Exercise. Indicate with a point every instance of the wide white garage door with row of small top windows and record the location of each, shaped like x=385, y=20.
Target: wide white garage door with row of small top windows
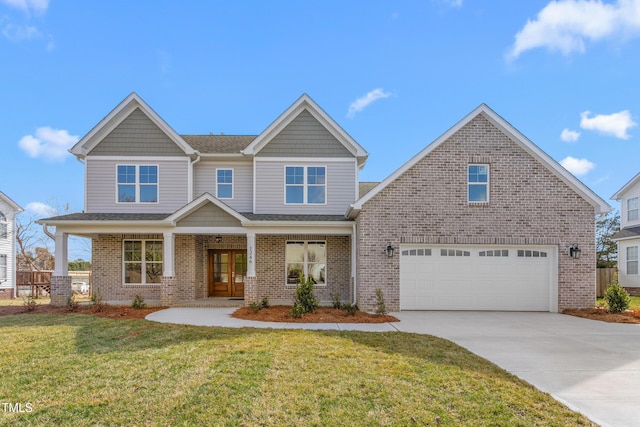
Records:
x=477, y=278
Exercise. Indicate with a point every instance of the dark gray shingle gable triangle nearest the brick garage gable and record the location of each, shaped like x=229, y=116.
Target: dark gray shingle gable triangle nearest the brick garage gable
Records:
x=304, y=137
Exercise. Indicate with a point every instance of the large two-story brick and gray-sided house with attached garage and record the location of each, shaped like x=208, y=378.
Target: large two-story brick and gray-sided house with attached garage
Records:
x=479, y=219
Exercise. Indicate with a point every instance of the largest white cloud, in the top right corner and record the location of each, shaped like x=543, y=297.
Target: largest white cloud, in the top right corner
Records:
x=565, y=25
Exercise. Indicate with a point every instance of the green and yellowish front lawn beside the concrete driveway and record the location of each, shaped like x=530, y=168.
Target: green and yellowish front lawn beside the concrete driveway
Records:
x=81, y=370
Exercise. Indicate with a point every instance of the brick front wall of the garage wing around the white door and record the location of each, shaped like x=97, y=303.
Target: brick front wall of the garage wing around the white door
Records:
x=528, y=205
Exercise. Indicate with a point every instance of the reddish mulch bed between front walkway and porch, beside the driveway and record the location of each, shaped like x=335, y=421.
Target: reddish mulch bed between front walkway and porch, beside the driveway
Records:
x=281, y=313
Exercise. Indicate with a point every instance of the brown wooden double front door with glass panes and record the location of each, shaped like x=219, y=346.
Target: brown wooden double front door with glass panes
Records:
x=227, y=269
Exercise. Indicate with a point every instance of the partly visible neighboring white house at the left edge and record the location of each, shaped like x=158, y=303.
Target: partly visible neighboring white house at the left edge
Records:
x=8, y=211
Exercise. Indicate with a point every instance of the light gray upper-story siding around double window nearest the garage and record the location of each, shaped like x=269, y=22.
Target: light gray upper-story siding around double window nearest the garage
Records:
x=270, y=187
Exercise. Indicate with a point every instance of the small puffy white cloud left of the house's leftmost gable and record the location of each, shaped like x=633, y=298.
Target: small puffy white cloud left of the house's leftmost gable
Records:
x=51, y=144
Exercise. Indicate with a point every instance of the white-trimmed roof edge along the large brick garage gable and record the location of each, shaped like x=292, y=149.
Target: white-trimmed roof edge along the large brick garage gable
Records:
x=599, y=205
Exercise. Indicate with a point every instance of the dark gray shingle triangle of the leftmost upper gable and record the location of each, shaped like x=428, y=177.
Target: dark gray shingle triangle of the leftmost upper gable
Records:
x=137, y=135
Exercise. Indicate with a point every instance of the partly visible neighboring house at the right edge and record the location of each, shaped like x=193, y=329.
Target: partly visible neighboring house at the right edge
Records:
x=628, y=238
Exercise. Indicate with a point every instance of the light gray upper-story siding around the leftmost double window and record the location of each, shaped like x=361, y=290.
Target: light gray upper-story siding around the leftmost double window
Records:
x=101, y=185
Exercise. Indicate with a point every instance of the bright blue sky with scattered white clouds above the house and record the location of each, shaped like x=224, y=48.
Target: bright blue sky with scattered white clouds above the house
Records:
x=394, y=74
